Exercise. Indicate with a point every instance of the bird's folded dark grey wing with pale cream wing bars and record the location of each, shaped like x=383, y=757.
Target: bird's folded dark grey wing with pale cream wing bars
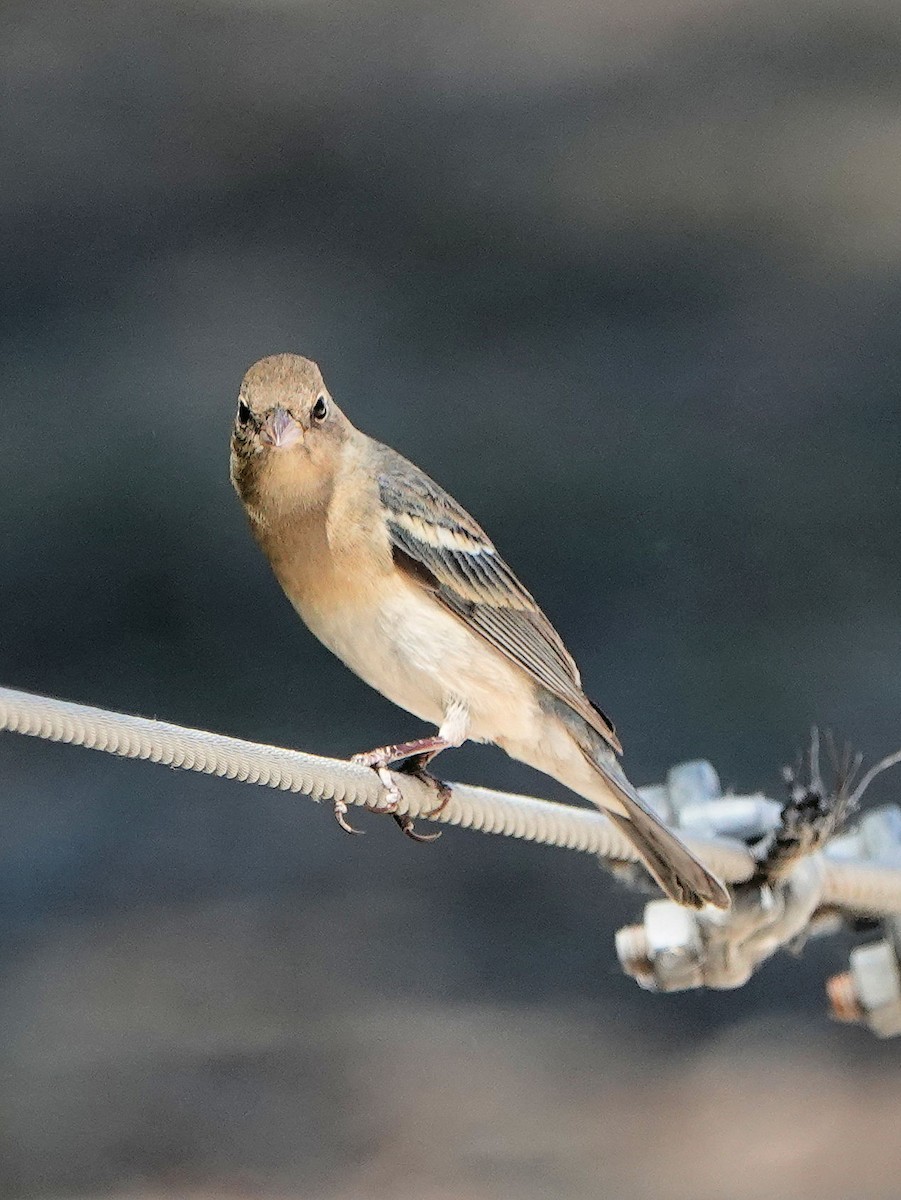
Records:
x=443, y=549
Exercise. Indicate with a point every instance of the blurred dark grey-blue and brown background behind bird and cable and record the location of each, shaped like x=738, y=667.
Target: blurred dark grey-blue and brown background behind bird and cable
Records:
x=624, y=278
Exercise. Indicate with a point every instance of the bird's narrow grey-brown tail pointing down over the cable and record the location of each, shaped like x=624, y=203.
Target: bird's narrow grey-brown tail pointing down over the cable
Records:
x=677, y=871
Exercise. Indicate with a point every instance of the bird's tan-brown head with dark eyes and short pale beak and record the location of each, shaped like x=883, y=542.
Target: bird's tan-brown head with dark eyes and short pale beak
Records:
x=289, y=434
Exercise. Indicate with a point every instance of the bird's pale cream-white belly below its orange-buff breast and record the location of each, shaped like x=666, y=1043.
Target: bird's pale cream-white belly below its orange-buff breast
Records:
x=424, y=659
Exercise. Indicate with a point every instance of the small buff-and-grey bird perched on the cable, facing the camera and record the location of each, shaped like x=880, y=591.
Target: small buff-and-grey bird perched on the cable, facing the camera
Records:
x=398, y=580
